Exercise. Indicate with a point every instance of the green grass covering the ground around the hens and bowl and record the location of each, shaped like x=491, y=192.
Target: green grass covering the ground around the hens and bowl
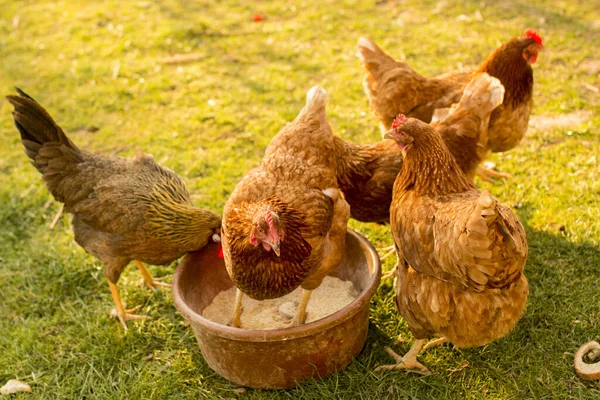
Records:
x=99, y=63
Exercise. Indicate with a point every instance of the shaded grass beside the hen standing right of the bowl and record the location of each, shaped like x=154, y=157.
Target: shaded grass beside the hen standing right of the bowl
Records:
x=562, y=313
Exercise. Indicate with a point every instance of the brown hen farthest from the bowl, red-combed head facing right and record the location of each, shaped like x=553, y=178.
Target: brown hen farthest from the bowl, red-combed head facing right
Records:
x=393, y=88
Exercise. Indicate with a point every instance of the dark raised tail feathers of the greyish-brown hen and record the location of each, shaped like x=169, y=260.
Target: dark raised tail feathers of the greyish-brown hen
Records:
x=35, y=125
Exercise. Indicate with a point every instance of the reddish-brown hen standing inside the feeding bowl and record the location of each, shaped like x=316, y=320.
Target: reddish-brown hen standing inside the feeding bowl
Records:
x=284, y=225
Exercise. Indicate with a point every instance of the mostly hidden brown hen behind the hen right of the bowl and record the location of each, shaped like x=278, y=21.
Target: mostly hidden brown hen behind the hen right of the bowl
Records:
x=366, y=173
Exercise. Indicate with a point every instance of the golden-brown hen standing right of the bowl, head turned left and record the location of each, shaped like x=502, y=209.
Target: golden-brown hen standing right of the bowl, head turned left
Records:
x=461, y=253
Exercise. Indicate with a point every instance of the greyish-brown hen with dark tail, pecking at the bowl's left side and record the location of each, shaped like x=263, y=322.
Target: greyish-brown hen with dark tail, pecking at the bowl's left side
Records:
x=123, y=209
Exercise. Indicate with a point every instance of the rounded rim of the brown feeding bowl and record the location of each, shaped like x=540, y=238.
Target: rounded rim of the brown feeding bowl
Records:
x=272, y=335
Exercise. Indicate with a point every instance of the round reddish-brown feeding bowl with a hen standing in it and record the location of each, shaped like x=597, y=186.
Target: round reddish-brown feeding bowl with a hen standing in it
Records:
x=278, y=358
